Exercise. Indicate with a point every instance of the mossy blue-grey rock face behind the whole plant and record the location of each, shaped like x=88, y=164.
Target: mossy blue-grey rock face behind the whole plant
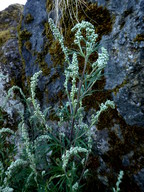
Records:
x=119, y=133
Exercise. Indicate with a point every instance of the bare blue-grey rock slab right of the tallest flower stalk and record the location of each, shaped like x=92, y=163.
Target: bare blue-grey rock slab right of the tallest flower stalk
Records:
x=125, y=68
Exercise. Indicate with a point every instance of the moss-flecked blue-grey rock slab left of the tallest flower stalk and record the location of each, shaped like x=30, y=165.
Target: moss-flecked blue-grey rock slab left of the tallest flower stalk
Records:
x=36, y=56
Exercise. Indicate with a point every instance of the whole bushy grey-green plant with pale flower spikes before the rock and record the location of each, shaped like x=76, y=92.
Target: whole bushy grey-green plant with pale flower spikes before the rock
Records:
x=52, y=160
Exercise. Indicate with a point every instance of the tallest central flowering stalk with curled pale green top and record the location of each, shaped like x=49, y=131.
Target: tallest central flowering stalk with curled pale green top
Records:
x=81, y=85
